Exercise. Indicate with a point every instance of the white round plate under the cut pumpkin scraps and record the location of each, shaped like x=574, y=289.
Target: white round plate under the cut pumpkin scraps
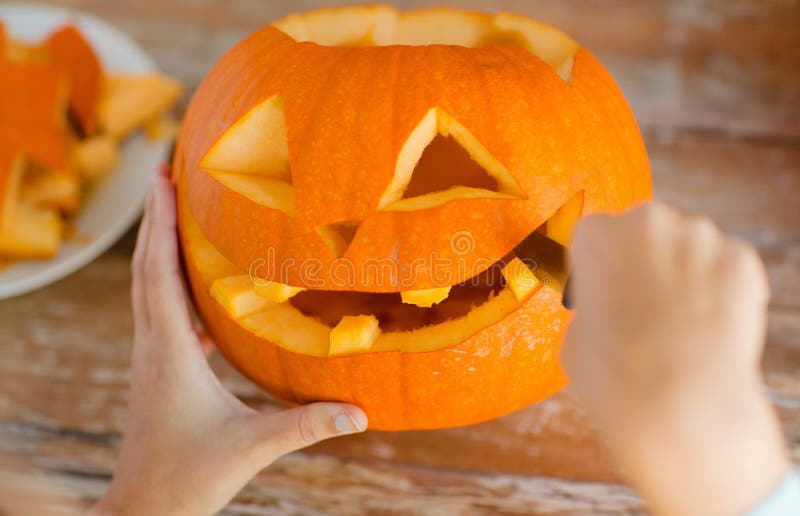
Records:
x=115, y=203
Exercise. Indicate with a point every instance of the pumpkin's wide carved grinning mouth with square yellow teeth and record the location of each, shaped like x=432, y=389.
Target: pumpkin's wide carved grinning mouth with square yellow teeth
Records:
x=333, y=323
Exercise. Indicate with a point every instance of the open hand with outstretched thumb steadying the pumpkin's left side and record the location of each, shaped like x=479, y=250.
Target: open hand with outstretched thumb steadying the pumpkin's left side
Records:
x=190, y=445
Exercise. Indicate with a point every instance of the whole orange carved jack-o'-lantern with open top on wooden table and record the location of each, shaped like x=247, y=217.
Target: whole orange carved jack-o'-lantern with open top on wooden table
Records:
x=352, y=183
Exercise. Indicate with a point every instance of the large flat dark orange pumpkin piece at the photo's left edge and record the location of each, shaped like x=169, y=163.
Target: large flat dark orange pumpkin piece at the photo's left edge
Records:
x=33, y=112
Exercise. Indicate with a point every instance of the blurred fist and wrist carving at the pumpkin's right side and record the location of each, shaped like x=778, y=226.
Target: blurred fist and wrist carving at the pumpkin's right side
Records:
x=663, y=353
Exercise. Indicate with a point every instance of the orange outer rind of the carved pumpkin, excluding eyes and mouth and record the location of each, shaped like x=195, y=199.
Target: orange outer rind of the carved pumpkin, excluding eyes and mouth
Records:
x=349, y=112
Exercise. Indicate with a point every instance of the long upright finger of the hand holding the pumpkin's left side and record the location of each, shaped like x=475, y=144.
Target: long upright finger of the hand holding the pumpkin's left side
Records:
x=166, y=299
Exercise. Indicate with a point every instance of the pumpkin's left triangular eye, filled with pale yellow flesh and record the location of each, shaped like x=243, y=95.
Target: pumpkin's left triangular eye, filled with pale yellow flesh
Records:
x=252, y=157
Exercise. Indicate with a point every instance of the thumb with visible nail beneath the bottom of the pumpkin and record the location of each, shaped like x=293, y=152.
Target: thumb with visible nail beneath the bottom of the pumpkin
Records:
x=293, y=429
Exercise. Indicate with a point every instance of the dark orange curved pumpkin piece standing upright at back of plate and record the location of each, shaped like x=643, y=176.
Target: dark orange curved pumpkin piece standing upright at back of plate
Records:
x=73, y=54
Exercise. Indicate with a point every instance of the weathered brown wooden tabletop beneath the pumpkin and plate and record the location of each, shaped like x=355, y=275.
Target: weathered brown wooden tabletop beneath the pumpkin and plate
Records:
x=716, y=88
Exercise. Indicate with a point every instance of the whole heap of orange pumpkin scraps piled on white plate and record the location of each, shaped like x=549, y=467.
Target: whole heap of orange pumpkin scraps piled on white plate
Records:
x=62, y=120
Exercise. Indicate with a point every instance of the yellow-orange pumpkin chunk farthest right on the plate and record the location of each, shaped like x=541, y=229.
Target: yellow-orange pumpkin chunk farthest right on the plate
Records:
x=127, y=102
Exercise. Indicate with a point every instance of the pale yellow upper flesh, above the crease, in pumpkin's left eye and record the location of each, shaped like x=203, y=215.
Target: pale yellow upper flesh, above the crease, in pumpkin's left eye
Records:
x=255, y=144
